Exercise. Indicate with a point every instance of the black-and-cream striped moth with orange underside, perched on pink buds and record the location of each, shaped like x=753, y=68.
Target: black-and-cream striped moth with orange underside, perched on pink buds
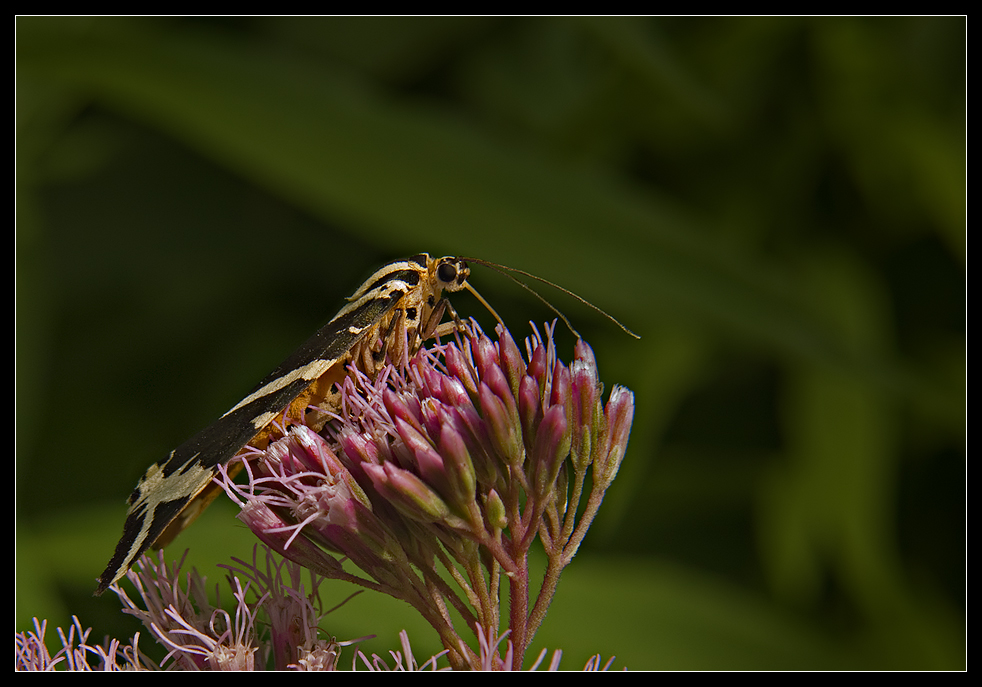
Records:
x=394, y=309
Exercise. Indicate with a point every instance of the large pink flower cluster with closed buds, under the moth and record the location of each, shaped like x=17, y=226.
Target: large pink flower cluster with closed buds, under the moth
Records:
x=455, y=464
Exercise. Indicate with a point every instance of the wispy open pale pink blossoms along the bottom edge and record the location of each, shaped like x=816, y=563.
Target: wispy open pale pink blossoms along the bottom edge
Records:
x=276, y=629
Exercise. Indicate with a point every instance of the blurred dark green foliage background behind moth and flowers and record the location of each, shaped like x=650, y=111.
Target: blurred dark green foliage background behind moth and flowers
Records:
x=776, y=205
